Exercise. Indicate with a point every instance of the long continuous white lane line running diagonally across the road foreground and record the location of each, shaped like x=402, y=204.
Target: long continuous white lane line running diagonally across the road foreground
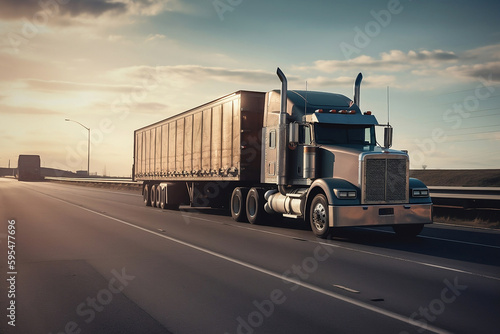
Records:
x=311, y=287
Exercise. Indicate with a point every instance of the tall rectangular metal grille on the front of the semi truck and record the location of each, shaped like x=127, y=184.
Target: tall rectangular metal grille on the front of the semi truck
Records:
x=385, y=180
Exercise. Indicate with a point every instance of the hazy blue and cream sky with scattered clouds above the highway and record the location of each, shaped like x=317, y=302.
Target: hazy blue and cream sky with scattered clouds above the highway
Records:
x=118, y=65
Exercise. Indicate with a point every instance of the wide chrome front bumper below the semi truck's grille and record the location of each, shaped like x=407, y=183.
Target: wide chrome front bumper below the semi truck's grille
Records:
x=366, y=215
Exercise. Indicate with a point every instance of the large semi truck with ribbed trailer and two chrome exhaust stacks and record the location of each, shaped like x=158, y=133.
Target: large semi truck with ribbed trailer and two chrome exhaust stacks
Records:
x=300, y=154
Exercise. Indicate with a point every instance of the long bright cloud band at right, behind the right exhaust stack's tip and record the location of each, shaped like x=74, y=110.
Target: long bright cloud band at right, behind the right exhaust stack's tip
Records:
x=474, y=64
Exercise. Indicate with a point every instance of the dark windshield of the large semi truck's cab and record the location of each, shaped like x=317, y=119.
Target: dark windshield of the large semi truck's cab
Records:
x=337, y=134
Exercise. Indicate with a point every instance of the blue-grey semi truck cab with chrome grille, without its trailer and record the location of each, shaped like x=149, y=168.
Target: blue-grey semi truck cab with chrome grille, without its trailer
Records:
x=333, y=172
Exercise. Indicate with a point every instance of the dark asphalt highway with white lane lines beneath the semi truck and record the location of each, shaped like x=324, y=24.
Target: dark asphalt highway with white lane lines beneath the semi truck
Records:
x=90, y=260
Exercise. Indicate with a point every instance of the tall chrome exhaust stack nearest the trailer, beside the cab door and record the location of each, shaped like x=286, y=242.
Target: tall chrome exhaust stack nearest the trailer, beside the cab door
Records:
x=282, y=146
